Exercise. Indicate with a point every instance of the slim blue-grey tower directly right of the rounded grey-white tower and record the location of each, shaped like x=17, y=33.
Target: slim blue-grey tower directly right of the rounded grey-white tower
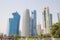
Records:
x=33, y=23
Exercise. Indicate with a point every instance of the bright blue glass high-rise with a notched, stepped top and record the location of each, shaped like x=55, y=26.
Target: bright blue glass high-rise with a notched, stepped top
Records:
x=14, y=24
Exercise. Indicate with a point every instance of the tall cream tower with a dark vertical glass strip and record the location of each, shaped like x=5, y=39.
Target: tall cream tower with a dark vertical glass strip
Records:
x=46, y=20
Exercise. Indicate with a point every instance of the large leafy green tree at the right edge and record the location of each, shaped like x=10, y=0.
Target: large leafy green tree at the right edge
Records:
x=55, y=30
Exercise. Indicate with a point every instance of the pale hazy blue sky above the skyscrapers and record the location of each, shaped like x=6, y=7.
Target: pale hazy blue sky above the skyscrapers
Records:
x=7, y=7
